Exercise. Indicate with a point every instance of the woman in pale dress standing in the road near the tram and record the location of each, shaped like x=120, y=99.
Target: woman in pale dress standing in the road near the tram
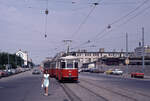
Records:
x=45, y=82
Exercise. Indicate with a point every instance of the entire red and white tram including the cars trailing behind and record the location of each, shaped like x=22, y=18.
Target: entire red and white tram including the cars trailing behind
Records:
x=63, y=68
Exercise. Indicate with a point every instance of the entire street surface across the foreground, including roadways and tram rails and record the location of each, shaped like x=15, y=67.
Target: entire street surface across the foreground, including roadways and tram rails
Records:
x=91, y=87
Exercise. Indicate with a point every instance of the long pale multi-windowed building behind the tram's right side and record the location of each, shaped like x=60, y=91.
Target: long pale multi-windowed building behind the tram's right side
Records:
x=89, y=57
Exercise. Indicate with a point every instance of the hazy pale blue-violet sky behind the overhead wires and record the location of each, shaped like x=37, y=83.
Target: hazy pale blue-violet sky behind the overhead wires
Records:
x=23, y=24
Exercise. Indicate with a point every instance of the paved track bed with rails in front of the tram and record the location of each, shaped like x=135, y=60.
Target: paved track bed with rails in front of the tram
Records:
x=103, y=93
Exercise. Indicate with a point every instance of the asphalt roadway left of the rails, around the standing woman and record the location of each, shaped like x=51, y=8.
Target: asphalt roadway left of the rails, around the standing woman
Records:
x=27, y=87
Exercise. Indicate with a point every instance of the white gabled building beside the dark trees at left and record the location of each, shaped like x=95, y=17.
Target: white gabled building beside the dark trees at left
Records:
x=24, y=56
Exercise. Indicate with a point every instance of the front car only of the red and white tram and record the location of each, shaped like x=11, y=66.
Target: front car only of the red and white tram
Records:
x=67, y=68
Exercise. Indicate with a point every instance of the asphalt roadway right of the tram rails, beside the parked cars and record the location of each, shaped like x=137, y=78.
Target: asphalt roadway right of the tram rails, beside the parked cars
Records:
x=120, y=81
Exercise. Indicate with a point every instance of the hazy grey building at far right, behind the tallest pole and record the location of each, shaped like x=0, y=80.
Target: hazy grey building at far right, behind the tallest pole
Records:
x=138, y=51
